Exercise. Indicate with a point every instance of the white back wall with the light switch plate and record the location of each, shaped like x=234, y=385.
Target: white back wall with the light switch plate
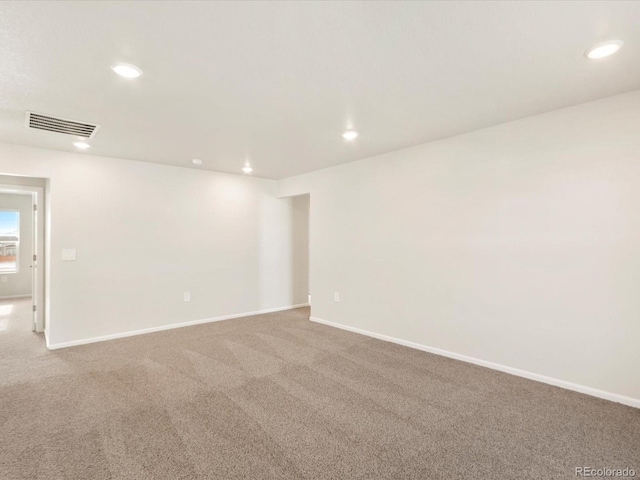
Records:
x=145, y=234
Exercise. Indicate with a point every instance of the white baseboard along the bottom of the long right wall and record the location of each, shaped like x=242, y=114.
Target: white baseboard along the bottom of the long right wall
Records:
x=614, y=397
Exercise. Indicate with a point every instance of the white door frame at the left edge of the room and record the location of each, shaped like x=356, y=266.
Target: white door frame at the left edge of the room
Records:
x=38, y=294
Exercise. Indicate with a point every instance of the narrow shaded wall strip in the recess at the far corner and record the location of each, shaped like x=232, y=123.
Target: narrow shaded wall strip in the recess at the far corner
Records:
x=300, y=250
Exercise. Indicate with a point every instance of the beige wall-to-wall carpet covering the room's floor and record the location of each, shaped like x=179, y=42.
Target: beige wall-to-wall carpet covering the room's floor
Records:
x=276, y=396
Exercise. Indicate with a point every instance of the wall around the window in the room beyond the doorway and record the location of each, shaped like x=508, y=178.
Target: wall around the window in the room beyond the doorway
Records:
x=19, y=284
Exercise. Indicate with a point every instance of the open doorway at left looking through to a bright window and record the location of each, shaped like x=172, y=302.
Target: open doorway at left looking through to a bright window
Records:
x=22, y=251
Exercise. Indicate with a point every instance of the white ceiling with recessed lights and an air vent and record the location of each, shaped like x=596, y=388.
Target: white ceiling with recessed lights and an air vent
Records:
x=278, y=82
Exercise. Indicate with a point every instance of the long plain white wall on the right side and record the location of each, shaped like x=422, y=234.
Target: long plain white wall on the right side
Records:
x=517, y=244
